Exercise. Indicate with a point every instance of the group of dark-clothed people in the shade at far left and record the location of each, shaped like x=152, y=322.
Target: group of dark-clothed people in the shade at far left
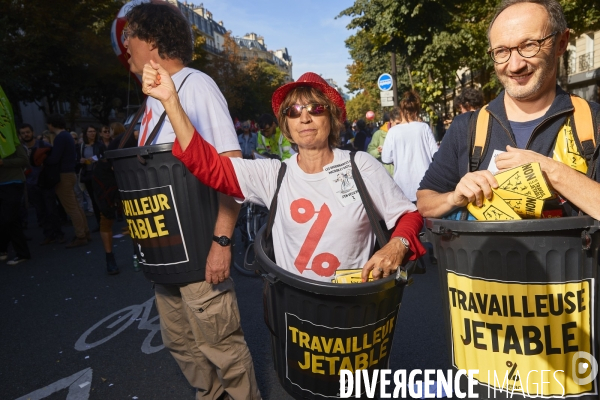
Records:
x=55, y=173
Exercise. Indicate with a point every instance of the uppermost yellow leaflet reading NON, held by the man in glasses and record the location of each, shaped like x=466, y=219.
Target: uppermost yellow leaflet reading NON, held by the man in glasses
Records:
x=526, y=180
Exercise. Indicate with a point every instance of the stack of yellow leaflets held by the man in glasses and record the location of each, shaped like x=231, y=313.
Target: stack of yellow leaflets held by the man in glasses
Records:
x=520, y=194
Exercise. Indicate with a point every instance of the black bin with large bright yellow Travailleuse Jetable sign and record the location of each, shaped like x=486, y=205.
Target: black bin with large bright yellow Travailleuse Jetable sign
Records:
x=521, y=303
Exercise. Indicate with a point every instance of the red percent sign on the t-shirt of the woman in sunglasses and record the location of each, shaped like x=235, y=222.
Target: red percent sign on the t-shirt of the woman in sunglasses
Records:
x=302, y=211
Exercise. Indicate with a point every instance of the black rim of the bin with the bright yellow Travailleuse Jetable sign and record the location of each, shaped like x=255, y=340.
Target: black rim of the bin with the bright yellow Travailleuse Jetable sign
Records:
x=437, y=225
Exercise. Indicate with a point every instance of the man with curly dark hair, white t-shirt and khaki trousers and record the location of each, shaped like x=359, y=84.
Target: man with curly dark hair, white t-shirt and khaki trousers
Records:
x=200, y=322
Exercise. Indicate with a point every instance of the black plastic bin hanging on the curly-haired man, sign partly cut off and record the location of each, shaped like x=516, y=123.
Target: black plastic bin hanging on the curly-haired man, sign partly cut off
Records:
x=170, y=214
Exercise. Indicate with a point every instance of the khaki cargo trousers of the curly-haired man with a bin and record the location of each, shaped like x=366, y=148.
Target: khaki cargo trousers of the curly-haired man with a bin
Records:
x=200, y=325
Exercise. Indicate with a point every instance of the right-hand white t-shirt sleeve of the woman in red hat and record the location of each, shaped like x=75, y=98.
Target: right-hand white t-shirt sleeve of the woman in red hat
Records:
x=388, y=199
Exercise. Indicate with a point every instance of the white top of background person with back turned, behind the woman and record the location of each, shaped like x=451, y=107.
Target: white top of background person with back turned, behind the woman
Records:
x=410, y=147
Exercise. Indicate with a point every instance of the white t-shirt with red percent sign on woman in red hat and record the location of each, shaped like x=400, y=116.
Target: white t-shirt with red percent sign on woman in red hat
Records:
x=321, y=224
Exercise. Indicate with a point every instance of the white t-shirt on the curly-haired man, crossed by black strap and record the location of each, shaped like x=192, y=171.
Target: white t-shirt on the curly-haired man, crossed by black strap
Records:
x=204, y=105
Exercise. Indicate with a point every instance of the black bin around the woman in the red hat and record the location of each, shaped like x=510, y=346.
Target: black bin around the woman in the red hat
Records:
x=319, y=328
